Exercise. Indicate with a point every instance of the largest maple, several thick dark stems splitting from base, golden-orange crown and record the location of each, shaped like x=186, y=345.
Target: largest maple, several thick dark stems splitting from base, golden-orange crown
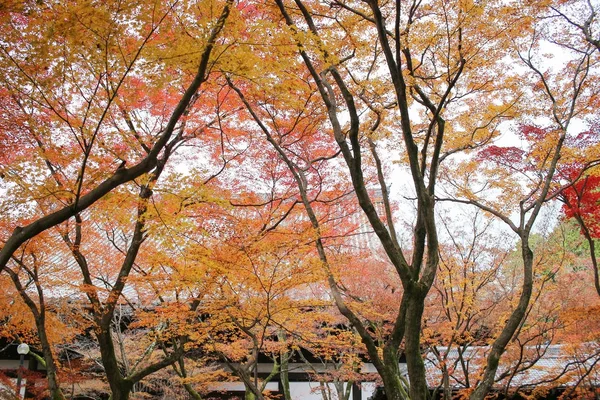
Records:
x=357, y=98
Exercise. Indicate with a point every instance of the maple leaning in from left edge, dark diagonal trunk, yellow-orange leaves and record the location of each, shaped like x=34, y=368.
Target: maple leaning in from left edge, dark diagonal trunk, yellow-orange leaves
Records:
x=33, y=69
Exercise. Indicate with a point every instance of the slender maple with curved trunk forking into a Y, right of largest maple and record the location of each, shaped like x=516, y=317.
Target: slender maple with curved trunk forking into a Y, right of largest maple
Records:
x=528, y=173
